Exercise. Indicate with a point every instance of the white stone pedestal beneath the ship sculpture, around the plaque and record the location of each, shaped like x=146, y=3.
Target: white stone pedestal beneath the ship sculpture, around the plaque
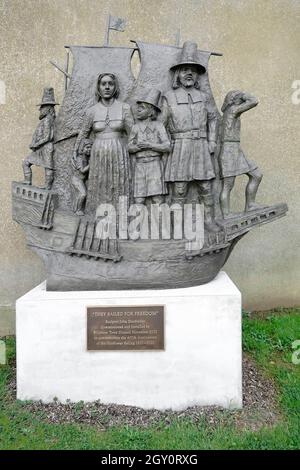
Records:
x=201, y=363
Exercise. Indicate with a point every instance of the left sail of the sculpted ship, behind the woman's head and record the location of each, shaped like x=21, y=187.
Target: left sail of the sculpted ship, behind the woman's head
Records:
x=89, y=62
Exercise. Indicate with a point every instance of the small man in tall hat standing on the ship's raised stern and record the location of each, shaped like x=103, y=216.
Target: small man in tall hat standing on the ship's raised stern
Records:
x=42, y=141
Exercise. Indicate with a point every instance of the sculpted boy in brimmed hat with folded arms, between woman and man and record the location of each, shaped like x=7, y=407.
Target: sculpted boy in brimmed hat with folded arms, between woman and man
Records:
x=148, y=141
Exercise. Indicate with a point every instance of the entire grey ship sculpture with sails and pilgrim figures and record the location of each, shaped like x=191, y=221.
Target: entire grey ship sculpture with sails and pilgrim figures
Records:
x=110, y=216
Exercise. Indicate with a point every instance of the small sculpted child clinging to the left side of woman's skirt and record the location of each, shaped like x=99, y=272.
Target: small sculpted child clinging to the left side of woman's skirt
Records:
x=81, y=167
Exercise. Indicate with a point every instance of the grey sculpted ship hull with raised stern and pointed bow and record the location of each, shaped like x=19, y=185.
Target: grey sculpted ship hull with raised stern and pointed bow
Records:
x=77, y=258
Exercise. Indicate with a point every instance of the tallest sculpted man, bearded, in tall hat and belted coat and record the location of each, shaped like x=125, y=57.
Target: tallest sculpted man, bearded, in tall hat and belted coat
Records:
x=192, y=127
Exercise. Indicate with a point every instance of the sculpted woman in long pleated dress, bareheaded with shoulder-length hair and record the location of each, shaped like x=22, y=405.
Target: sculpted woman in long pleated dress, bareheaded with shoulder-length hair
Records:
x=110, y=120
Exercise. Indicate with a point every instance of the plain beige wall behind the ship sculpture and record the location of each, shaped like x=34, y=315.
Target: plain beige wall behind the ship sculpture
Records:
x=260, y=40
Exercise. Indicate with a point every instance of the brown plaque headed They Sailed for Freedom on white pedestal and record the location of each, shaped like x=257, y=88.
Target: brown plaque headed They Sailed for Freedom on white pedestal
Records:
x=136, y=328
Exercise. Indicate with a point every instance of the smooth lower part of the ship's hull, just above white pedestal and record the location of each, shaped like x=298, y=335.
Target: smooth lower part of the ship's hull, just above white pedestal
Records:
x=73, y=273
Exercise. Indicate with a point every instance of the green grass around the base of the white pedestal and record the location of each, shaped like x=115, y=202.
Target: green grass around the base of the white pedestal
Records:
x=268, y=339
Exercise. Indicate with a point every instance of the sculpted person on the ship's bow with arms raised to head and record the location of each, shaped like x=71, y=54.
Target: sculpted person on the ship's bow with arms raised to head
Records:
x=232, y=159
